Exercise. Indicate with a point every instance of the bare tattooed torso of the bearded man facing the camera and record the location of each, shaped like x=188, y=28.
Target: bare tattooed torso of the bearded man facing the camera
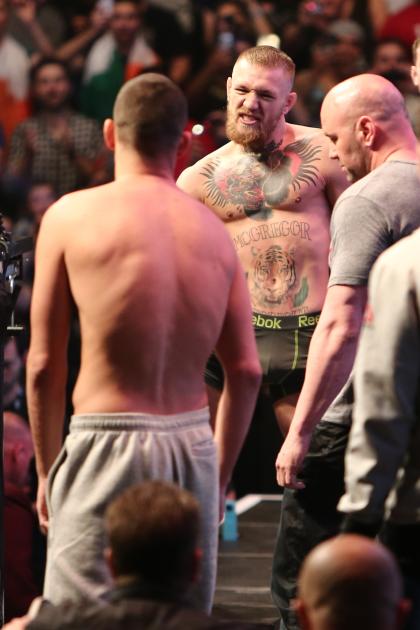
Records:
x=277, y=211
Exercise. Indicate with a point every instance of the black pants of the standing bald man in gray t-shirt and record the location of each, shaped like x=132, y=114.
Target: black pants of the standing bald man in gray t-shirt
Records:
x=309, y=516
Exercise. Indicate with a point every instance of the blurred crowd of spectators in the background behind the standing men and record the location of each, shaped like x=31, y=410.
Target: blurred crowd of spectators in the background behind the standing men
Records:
x=62, y=63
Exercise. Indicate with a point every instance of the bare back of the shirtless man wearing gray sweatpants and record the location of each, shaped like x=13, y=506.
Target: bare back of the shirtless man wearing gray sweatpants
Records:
x=148, y=265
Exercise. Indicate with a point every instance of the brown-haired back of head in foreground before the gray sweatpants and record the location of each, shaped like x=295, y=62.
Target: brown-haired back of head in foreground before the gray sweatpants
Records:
x=153, y=531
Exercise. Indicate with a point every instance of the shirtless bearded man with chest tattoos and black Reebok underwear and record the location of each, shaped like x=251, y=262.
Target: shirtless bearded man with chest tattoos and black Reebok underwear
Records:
x=273, y=186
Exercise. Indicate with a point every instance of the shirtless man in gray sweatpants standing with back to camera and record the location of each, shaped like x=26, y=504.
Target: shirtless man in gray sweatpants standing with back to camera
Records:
x=157, y=285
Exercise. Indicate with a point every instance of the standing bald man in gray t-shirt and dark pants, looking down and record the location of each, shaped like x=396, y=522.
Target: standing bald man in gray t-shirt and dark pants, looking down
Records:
x=370, y=135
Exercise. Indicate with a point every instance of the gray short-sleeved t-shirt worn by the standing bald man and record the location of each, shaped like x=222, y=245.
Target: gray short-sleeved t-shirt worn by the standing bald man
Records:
x=369, y=217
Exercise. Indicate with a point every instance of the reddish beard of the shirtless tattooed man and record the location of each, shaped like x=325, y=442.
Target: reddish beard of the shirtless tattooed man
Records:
x=254, y=138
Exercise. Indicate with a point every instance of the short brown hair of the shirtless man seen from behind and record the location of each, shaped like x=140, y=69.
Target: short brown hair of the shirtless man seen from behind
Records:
x=150, y=114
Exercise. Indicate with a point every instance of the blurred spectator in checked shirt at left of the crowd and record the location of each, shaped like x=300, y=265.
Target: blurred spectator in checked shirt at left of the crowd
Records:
x=56, y=144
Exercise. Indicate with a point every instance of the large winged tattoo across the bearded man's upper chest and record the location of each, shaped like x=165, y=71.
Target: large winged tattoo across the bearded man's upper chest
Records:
x=253, y=185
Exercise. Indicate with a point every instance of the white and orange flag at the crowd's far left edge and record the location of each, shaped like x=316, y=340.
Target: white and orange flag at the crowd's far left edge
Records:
x=14, y=77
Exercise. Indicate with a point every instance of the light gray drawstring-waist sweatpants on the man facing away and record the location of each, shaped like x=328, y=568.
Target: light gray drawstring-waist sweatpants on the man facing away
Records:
x=104, y=454
